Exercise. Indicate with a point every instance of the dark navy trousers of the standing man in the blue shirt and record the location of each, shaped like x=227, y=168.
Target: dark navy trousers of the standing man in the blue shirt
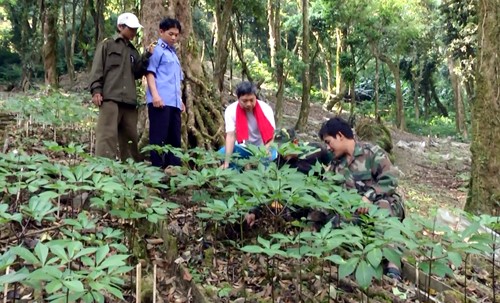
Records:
x=164, y=129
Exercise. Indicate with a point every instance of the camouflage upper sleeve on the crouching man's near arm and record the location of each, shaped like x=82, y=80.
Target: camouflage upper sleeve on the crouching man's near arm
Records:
x=385, y=175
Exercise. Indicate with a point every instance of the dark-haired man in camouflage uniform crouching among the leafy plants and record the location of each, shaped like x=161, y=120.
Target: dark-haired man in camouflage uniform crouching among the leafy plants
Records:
x=366, y=168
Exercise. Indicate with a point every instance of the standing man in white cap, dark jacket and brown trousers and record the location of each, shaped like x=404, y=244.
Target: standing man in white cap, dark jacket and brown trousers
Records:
x=116, y=67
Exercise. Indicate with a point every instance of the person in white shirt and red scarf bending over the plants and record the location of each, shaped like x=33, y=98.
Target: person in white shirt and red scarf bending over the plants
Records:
x=248, y=121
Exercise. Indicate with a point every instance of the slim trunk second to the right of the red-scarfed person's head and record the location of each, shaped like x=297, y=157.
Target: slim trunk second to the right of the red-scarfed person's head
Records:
x=306, y=74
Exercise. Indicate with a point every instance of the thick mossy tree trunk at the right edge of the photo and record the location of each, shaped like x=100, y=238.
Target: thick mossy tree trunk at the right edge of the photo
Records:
x=484, y=189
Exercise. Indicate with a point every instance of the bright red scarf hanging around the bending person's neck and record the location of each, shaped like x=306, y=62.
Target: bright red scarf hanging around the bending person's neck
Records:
x=265, y=127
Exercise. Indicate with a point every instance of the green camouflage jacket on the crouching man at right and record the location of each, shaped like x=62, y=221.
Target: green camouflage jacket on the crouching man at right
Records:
x=370, y=171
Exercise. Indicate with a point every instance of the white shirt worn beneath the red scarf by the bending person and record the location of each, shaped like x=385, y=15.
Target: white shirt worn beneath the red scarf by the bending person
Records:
x=254, y=136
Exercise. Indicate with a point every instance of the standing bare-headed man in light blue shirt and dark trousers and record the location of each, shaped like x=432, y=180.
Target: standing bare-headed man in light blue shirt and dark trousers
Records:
x=164, y=94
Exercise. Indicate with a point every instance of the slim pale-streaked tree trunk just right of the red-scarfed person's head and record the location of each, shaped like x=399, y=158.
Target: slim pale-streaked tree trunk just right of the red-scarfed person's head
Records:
x=274, y=11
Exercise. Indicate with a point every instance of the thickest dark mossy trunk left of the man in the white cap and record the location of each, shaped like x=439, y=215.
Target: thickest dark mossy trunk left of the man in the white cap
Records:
x=50, y=43
